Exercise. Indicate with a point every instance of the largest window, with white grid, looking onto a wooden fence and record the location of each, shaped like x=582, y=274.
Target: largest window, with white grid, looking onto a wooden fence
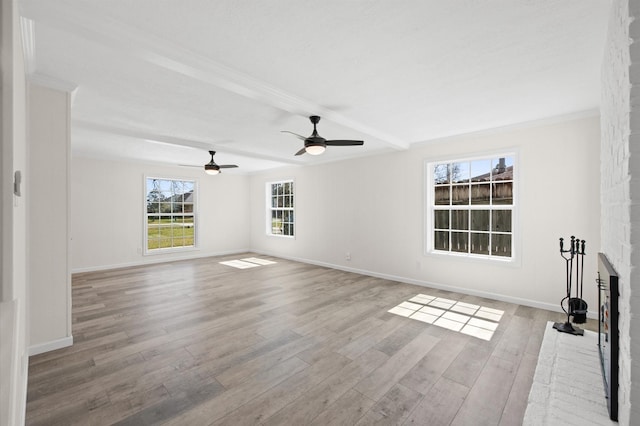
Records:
x=471, y=207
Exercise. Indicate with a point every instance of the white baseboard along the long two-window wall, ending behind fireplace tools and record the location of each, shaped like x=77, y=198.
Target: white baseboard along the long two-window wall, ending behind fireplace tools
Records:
x=439, y=286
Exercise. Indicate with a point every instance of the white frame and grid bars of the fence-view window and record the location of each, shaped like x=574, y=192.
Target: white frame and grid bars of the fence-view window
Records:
x=430, y=207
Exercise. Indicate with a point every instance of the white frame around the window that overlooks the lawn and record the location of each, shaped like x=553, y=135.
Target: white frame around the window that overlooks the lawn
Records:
x=145, y=227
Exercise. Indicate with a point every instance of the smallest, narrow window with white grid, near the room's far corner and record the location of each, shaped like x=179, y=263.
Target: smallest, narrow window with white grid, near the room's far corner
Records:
x=280, y=212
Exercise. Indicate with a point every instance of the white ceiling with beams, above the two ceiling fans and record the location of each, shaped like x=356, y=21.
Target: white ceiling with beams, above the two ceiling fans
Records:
x=163, y=81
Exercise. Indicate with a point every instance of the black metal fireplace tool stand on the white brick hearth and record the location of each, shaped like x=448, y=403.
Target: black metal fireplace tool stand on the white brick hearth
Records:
x=576, y=306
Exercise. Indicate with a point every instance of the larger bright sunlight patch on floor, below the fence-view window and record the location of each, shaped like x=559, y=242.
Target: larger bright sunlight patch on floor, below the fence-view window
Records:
x=474, y=320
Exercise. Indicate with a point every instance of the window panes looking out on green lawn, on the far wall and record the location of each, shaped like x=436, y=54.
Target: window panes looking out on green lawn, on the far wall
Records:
x=170, y=218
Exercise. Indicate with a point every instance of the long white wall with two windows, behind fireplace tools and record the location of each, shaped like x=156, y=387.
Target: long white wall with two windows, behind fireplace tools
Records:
x=373, y=209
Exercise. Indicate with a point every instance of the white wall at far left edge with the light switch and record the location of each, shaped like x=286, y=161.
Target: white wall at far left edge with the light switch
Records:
x=13, y=296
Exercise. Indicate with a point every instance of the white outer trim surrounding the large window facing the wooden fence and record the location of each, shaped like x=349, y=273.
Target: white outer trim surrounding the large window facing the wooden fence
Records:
x=429, y=251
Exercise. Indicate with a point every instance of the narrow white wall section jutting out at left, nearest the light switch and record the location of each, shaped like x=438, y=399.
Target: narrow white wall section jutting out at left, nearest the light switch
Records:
x=49, y=275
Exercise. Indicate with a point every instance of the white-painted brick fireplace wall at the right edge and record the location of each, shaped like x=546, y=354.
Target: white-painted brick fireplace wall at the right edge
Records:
x=620, y=188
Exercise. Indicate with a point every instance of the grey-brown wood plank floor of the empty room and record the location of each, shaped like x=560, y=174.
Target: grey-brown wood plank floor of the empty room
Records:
x=199, y=343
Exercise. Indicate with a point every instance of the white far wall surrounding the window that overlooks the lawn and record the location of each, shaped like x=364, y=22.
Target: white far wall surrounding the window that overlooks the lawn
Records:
x=108, y=204
